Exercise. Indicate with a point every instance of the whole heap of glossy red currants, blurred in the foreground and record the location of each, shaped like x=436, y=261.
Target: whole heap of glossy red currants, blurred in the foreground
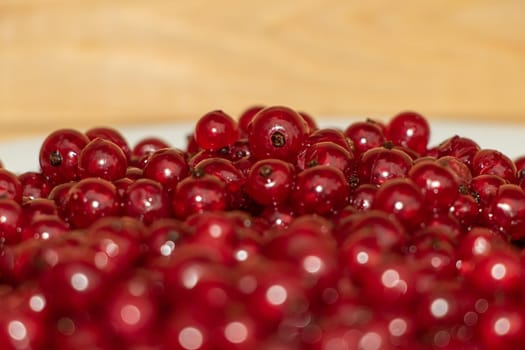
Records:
x=265, y=233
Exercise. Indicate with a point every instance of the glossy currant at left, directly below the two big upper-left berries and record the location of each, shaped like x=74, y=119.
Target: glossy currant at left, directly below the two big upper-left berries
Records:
x=90, y=199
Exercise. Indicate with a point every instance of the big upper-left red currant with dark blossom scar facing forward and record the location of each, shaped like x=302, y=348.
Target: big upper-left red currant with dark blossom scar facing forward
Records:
x=59, y=155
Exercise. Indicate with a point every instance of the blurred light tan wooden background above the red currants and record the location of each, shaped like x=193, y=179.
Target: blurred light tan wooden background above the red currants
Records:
x=84, y=63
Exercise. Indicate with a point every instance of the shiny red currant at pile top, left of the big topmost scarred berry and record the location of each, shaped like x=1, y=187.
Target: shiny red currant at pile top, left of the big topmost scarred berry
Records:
x=216, y=130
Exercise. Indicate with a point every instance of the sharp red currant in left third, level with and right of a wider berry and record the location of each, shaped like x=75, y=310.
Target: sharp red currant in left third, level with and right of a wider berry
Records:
x=146, y=200
